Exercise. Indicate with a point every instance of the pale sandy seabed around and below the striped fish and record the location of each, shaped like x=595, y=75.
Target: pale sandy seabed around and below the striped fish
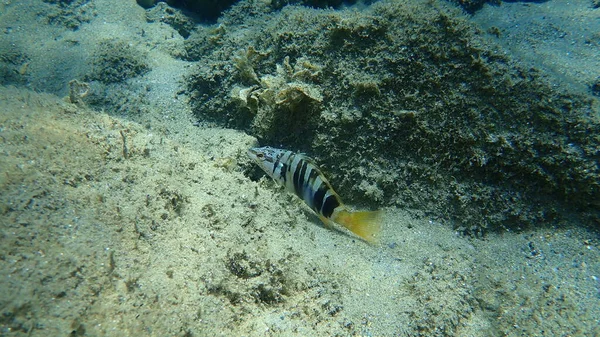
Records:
x=147, y=226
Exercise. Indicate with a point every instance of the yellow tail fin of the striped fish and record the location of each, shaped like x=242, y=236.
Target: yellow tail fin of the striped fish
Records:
x=365, y=224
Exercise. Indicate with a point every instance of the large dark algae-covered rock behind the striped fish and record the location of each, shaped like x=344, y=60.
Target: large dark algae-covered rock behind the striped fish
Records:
x=404, y=104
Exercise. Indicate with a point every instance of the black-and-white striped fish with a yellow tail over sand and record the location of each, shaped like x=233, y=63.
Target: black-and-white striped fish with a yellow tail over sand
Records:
x=300, y=175
